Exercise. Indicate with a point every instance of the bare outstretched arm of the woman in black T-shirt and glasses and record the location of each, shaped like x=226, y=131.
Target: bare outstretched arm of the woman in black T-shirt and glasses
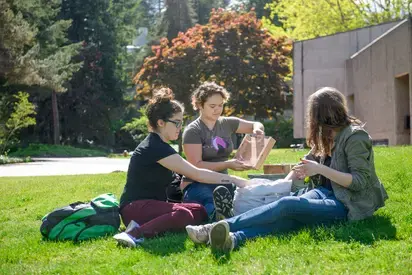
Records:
x=179, y=165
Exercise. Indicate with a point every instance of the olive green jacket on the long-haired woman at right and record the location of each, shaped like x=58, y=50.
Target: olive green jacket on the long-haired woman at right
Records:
x=352, y=153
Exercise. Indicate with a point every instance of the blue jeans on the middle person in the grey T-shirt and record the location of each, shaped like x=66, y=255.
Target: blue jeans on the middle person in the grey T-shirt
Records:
x=202, y=193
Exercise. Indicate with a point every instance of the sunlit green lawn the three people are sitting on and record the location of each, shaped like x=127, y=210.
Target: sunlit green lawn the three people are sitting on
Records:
x=379, y=245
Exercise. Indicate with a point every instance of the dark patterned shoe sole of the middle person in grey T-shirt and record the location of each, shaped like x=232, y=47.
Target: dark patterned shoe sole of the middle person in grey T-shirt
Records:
x=223, y=201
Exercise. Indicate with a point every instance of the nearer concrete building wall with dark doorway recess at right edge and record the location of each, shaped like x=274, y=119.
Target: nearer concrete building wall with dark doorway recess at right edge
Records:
x=378, y=76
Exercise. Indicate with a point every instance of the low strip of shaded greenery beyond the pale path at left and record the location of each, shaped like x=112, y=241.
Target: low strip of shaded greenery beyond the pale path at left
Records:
x=46, y=150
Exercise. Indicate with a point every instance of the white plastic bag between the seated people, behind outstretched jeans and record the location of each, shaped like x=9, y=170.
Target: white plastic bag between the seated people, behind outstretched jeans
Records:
x=260, y=192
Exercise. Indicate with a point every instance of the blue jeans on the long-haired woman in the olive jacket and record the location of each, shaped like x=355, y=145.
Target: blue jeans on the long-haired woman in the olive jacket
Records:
x=318, y=206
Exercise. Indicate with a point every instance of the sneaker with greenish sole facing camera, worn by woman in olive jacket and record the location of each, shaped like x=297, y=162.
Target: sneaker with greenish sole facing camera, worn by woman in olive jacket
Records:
x=221, y=239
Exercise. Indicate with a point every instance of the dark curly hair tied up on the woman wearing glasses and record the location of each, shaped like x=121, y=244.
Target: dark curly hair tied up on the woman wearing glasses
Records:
x=162, y=106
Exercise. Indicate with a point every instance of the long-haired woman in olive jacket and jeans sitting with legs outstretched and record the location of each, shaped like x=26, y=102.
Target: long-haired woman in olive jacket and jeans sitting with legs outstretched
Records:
x=349, y=189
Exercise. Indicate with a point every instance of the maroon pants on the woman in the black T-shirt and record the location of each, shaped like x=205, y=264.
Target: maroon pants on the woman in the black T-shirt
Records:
x=156, y=217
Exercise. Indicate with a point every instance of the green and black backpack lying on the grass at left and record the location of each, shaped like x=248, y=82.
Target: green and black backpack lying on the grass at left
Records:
x=81, y=221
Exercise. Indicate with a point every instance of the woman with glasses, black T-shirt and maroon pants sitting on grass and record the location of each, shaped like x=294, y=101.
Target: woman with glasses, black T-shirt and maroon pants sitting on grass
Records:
x=143, y=204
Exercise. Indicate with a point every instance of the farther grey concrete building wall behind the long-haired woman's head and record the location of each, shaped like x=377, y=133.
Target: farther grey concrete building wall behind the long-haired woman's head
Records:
x=321, y=62
